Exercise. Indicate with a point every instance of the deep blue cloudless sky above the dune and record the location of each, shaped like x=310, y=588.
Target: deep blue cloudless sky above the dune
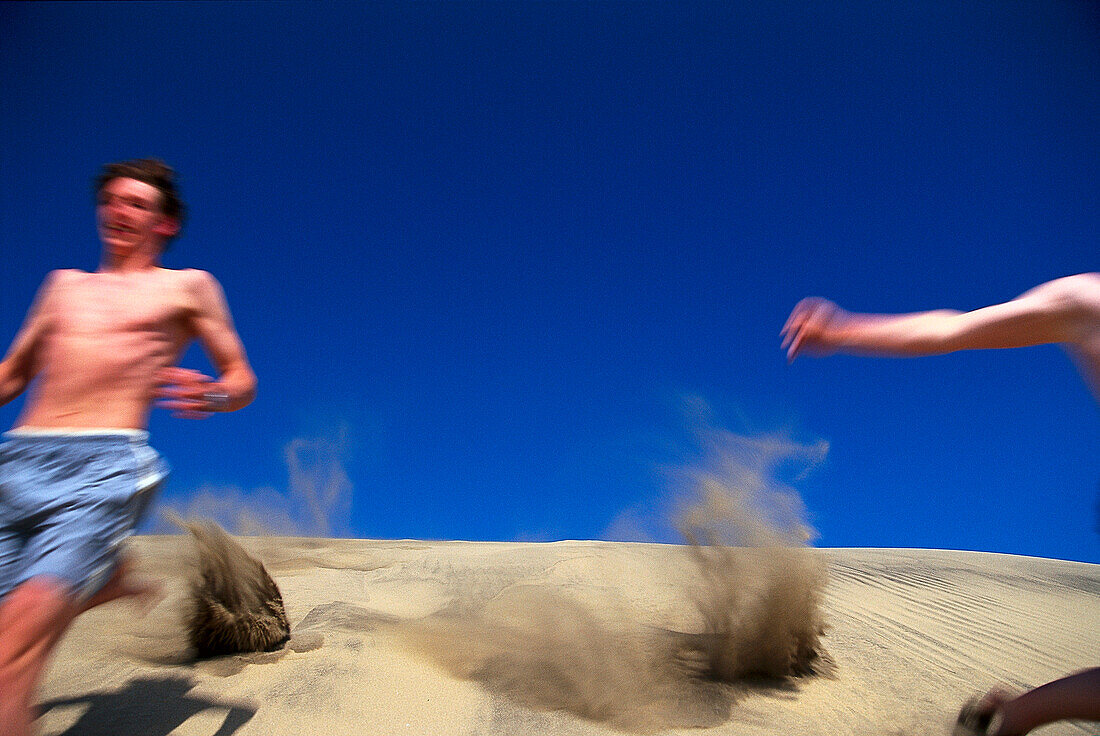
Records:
x=494, y=250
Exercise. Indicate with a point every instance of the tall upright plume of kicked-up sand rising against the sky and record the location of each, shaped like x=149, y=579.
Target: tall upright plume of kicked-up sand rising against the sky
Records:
x=762, y=586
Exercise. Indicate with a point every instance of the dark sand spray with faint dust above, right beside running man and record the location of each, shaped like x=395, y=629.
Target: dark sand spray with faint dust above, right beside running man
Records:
x=233, y=606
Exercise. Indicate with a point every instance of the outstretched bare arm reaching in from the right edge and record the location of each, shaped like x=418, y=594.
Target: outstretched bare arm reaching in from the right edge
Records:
x=1064, y=311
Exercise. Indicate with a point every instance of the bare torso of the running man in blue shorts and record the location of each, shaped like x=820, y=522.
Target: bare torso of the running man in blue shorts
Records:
x=102, y=339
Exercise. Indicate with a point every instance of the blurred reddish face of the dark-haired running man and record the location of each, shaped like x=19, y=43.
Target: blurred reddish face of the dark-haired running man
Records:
x=129, y=216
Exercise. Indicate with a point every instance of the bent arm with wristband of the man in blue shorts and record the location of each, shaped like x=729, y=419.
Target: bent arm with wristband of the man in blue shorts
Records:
x=192, y=393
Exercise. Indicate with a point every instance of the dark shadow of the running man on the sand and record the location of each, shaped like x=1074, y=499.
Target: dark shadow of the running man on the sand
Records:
x=147, y=707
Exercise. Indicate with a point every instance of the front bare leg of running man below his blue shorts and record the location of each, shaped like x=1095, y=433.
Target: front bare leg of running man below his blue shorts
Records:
x=34, y=618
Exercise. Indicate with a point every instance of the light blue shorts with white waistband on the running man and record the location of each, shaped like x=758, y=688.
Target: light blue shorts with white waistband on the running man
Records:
x=69, y=500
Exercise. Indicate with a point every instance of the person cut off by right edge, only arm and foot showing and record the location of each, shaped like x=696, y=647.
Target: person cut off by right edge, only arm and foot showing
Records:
x=1065, y=312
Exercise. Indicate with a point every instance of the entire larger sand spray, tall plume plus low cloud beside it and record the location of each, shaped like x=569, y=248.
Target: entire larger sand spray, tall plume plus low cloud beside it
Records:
x=753, y=586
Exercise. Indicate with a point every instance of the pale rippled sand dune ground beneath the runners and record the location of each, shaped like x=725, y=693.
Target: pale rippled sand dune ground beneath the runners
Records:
x=568, y=639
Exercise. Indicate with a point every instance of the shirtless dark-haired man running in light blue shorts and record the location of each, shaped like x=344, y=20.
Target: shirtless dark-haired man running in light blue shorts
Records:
x=76, y=473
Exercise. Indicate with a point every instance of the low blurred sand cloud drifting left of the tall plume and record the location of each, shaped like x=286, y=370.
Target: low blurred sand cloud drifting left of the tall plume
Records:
x=546, y=651
